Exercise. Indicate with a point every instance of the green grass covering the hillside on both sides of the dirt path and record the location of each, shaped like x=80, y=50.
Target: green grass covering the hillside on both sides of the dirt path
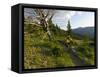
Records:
x=40, y=52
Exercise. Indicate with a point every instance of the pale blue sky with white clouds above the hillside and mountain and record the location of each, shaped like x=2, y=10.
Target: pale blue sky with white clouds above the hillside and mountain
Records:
x=77, y=18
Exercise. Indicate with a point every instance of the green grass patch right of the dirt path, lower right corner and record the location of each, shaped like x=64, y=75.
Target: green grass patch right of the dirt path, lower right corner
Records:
x=86, y=54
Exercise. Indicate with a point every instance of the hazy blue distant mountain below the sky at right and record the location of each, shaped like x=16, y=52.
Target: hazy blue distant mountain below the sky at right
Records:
x=89, y=31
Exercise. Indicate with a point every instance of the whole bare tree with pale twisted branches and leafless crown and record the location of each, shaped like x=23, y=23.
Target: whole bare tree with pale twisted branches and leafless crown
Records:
x=43, y=17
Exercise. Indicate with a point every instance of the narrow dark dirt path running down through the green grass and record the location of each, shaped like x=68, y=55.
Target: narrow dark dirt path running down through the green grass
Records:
x=73, y=55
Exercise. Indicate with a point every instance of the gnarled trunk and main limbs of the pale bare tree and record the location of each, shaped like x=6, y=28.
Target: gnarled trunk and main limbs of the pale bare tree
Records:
x=44, y=19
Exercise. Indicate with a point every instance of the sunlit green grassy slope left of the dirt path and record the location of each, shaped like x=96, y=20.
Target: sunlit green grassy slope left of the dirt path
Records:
x=44, y=53
